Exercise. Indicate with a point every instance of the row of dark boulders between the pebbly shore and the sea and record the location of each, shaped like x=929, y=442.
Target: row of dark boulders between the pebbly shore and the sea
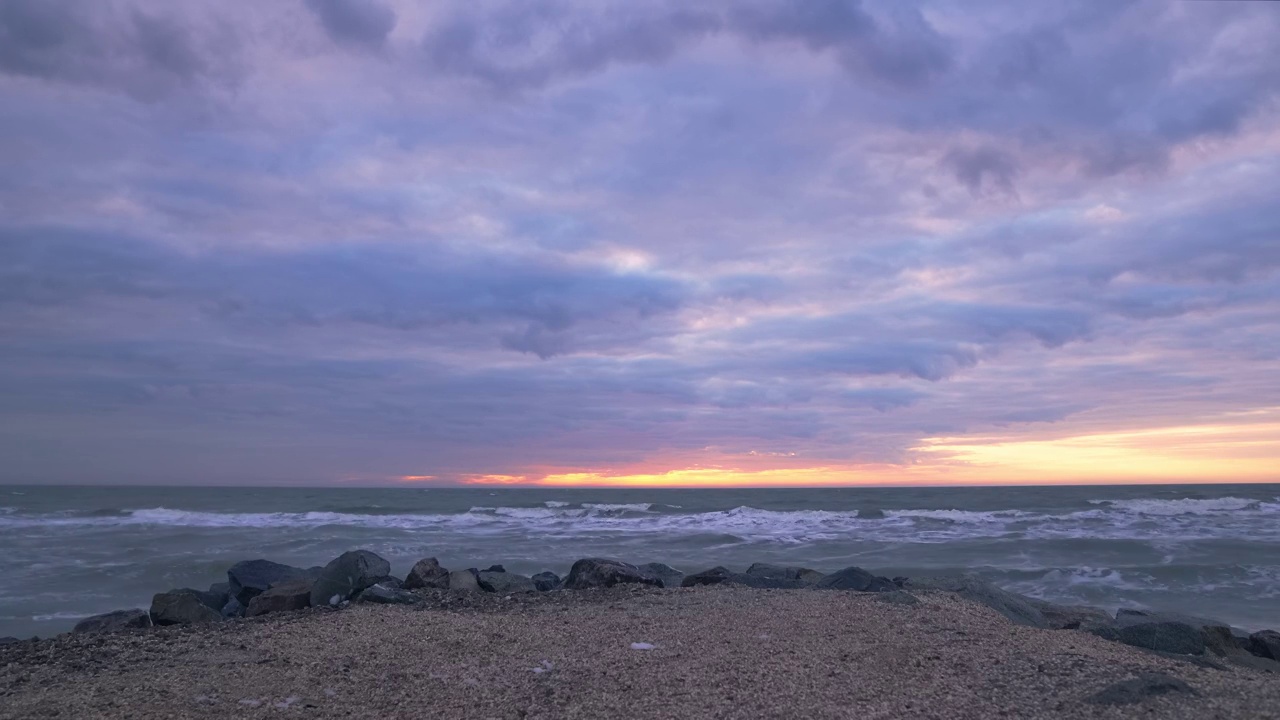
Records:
x=262, y=587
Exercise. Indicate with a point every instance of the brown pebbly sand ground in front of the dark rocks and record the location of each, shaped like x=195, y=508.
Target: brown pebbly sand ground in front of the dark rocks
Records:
x=717, y=653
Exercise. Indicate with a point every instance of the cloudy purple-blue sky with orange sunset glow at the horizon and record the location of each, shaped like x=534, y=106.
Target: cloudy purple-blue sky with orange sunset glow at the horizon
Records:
x=689, y=244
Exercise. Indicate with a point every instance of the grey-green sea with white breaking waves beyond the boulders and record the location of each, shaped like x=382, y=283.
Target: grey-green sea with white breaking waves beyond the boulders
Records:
x=68, y=553
